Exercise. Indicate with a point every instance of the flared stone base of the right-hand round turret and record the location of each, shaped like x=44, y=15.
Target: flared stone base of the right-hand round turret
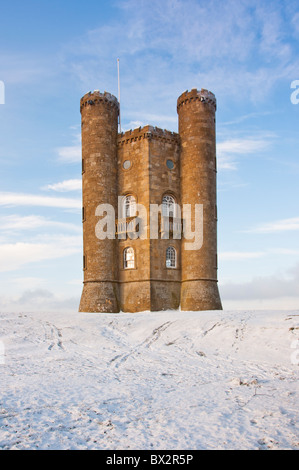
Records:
x=200, y=295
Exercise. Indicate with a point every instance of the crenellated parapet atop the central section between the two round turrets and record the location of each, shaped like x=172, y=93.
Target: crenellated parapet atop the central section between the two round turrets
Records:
x=147, y=132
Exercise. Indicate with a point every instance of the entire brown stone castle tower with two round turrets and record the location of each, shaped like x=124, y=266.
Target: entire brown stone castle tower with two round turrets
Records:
x=149, y=166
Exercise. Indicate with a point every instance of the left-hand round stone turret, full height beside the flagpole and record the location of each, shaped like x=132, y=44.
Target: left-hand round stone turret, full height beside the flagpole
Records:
x=99, y=120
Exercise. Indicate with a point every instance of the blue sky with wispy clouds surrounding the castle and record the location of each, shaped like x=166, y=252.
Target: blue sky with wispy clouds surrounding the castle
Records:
x=246, y=52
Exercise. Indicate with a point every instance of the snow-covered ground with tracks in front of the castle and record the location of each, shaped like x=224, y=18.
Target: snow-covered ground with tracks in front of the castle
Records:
x=163, y=380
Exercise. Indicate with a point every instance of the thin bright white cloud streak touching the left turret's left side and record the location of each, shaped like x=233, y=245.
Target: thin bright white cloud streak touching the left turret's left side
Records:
x=18, y=199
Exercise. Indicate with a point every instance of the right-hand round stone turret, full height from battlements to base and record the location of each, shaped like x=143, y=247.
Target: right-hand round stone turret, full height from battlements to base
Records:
x=196, y=111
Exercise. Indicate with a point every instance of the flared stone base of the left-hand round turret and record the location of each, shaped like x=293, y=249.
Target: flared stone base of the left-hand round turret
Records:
x=99, y=297
